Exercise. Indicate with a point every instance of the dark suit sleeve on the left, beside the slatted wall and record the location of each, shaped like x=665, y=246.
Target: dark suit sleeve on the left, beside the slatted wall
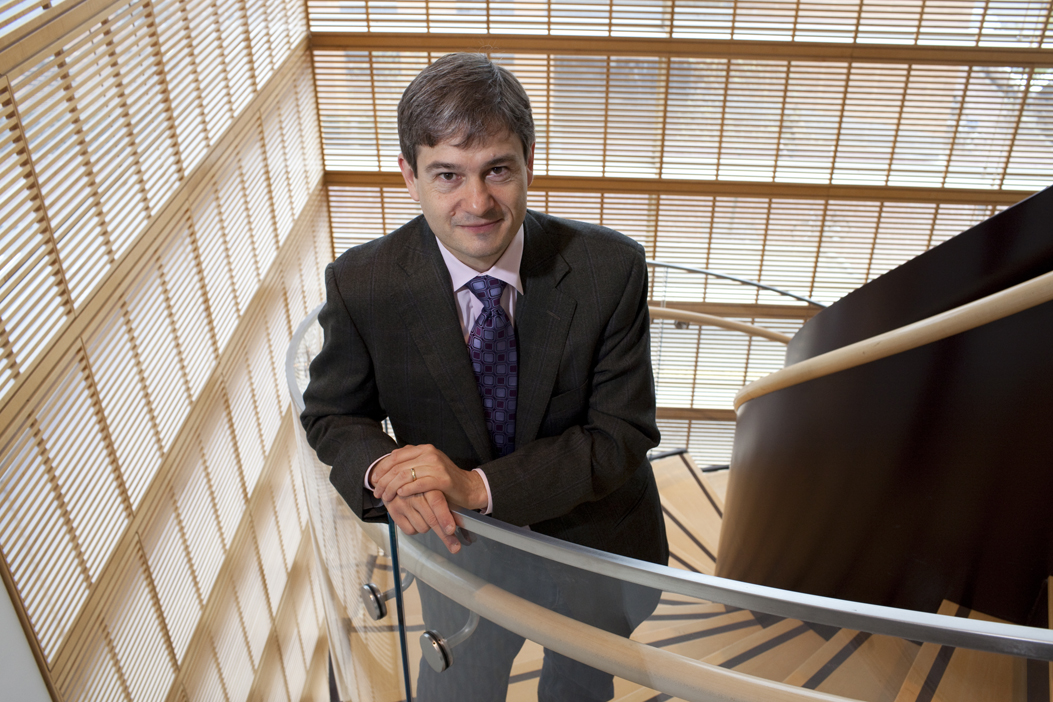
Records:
x=343, y=411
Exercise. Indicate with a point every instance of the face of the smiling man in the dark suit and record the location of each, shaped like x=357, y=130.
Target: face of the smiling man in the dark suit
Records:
x=474, y=199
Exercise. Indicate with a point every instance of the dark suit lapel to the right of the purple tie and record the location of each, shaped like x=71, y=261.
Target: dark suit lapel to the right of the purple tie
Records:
x=544, y=316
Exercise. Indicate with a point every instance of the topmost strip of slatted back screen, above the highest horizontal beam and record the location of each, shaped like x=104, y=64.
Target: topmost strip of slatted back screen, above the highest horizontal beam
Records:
x=905, y=23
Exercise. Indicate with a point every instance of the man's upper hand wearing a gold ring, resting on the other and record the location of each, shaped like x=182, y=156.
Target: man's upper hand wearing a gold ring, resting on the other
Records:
x=413, y=470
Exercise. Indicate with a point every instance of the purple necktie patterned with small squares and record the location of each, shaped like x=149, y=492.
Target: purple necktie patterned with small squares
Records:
x=492, y=347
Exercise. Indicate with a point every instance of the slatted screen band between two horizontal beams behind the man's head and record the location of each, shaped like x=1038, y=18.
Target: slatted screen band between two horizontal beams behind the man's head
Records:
x=738, y=121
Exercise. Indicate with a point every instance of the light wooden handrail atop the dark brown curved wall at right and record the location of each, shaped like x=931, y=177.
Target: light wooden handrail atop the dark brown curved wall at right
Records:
x=946, y=325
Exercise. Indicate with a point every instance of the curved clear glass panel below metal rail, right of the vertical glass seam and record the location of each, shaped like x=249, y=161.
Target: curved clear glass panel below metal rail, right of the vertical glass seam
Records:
x=550, y=631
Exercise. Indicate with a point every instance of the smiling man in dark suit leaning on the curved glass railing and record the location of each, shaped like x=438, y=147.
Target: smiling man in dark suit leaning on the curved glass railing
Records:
x=510, y=352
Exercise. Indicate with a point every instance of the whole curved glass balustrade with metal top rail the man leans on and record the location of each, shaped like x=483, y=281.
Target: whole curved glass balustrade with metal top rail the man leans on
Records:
x=519, y=616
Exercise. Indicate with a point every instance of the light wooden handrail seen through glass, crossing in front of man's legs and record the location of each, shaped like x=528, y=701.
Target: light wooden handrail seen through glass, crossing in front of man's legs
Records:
x=661, y=670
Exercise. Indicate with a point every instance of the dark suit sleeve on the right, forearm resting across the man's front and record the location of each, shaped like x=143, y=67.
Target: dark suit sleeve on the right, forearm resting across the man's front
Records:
x=550, y=477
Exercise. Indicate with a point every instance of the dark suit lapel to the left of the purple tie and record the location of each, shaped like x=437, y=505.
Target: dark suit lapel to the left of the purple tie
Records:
x=436, y=331
